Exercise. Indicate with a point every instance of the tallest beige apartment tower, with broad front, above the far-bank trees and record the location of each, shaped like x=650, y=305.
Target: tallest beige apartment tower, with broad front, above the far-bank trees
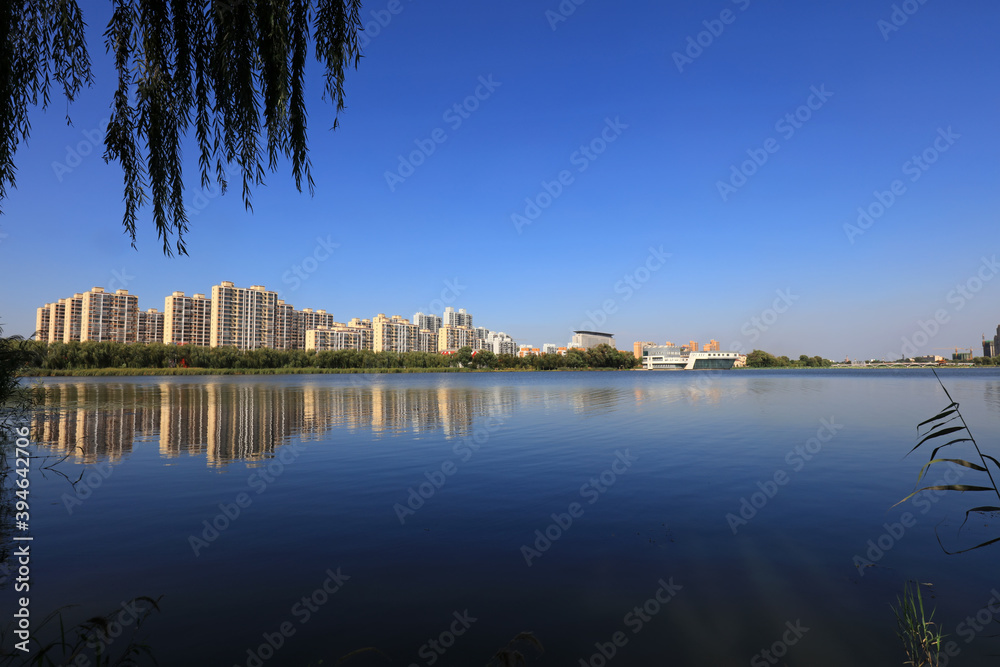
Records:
x=243, y=317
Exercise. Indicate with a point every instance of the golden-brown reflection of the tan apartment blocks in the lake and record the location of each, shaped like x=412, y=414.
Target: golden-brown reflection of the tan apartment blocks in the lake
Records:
x=225, y=421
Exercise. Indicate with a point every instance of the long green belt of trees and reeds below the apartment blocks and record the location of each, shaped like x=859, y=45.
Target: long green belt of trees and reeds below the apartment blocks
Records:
x=107, y=358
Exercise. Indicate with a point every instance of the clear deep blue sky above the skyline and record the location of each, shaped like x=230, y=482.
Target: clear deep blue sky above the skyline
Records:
x=678, y=128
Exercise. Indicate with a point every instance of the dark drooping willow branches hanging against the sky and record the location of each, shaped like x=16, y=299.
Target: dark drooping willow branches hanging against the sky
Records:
x=233, y=68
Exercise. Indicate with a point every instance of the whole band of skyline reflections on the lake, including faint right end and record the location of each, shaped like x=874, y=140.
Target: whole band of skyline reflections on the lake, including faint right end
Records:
x=225, y=421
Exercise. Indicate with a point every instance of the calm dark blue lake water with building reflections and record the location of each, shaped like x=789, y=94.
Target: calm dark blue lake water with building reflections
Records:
x=421, y=495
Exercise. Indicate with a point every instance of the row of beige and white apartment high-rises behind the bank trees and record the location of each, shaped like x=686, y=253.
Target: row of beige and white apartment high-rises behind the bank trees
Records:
x=253, y=317
